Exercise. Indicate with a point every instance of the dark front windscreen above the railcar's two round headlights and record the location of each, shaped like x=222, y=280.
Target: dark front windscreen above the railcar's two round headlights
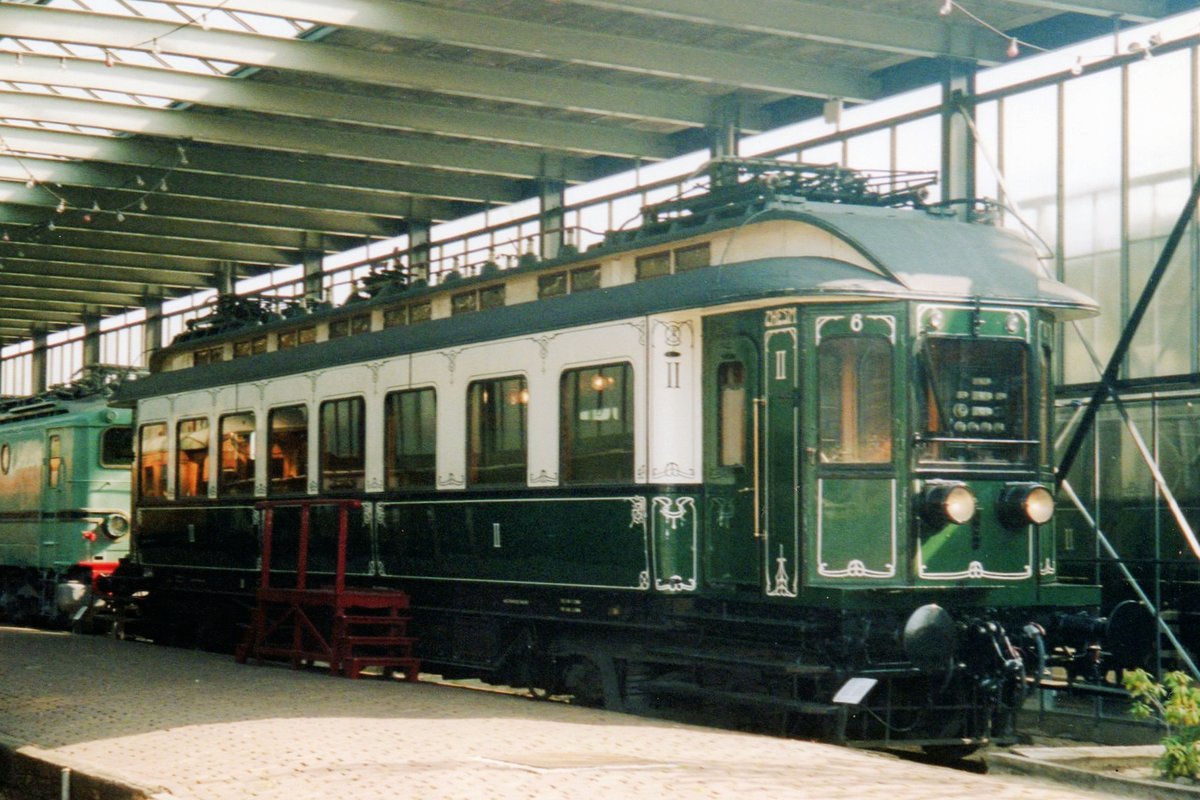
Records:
x=974, y=399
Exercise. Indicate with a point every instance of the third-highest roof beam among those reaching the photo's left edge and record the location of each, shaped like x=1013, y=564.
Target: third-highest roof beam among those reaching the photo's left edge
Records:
x=289, y=137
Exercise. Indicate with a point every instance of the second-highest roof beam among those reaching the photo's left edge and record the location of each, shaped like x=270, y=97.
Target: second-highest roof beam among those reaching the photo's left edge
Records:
x=339, y=107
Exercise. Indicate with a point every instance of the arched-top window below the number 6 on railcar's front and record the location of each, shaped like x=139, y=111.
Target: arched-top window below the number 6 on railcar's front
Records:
x=855, y=400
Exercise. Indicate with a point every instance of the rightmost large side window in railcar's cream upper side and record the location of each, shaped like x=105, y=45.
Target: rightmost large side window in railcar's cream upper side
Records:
x=597, y=443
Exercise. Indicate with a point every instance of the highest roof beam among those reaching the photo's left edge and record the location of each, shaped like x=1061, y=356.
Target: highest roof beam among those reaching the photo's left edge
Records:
x=340, y=63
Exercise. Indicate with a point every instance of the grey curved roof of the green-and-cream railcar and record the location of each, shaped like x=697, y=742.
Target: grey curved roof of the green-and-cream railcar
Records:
x=938, y=267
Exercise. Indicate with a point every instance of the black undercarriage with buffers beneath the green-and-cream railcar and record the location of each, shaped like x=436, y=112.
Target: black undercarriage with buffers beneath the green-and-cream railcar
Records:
x=866, y=678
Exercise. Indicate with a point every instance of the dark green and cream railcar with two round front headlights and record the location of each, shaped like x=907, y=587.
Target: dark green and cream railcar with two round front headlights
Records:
x=766, y=452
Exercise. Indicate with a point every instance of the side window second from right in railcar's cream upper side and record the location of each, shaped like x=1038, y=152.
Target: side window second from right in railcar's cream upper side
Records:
x=497, y=431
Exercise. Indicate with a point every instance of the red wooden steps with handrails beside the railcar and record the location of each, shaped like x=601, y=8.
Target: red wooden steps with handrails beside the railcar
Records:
x=349, y=628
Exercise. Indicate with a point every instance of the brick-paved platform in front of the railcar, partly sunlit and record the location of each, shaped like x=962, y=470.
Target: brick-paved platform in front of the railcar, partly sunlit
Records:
x=197, y=726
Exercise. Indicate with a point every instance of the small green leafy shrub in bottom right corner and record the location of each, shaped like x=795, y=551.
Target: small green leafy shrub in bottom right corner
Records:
x=1177, y=703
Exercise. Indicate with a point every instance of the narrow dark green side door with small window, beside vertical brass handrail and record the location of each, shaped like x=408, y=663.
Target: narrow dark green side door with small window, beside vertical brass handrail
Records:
x=733, y=389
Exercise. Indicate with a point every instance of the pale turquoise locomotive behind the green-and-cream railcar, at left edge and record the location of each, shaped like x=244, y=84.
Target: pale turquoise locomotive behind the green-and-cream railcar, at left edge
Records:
x=65, y=483
